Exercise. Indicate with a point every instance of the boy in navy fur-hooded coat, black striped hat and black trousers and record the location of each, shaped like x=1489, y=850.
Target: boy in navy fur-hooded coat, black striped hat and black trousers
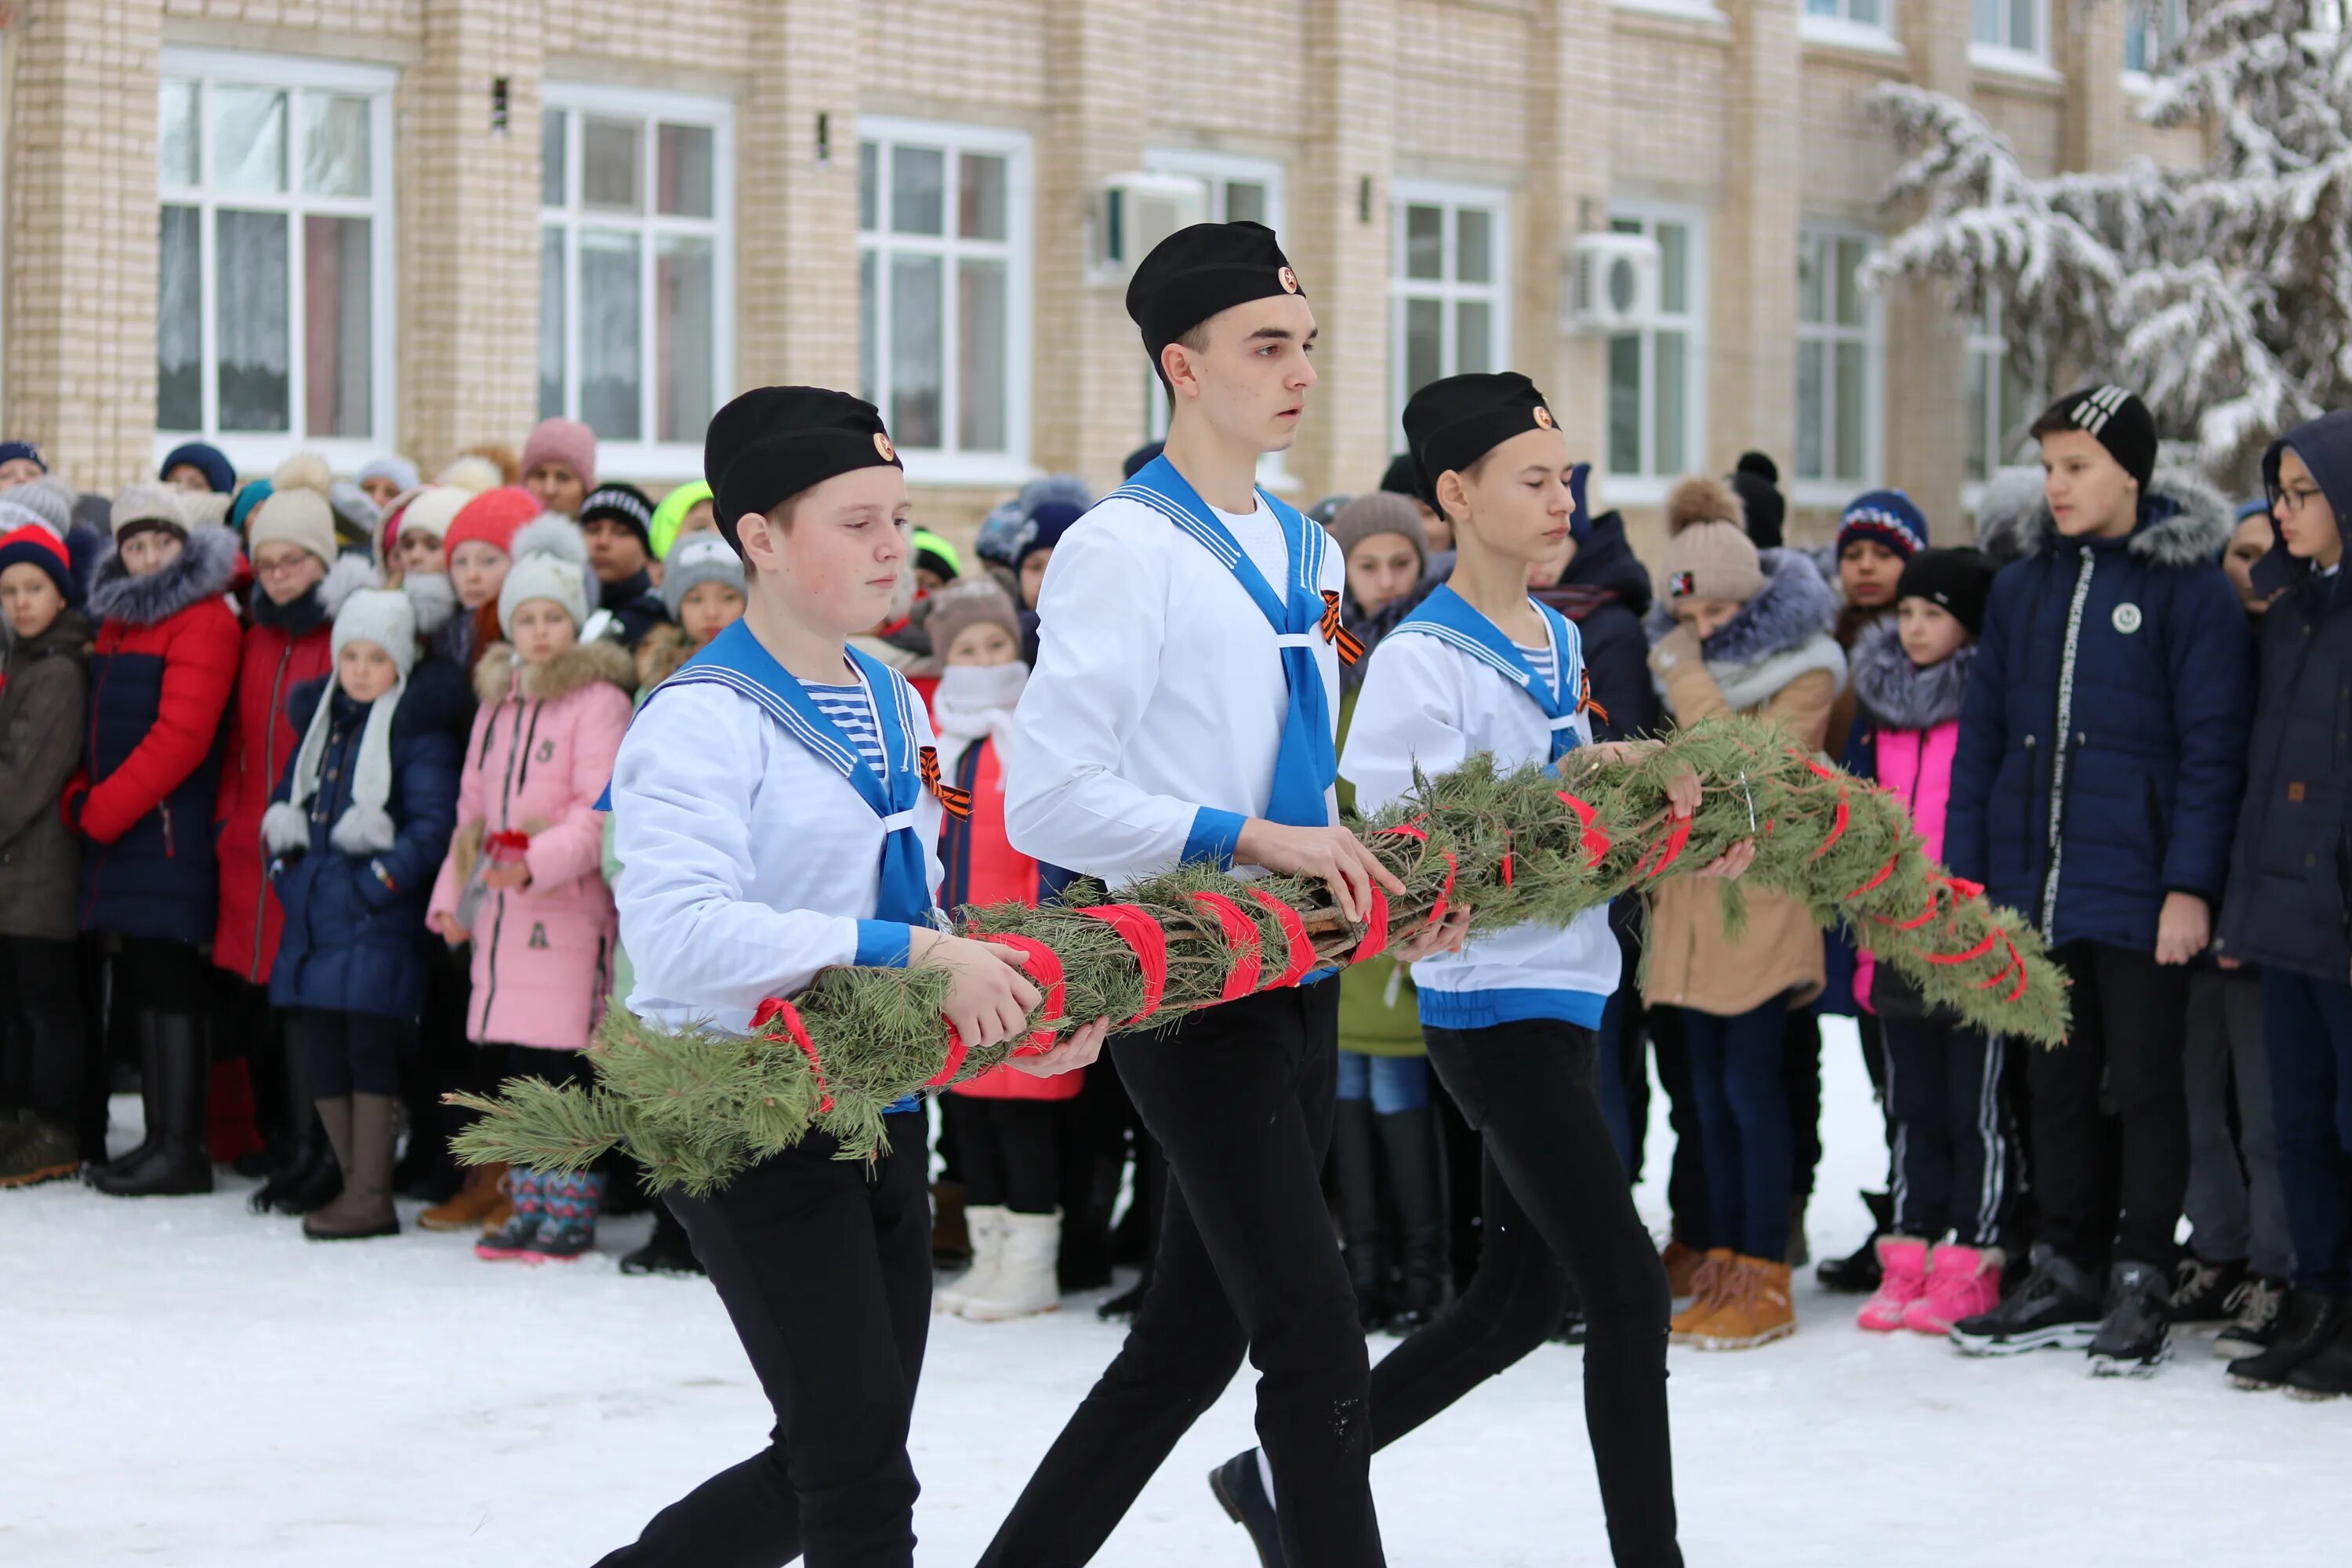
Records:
x=2097, y=784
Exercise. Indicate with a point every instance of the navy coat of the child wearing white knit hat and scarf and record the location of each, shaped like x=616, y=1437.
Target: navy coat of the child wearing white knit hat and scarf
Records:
x=356, y=942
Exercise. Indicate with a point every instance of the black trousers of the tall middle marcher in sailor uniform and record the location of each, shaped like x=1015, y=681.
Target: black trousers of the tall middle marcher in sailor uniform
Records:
x=1241, y=1099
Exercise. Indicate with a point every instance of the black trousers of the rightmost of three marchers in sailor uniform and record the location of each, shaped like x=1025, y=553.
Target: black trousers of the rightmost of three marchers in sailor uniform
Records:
x=1558, y=1214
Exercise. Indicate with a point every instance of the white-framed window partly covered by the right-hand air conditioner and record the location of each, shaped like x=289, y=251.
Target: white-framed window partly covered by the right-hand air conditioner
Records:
x=1657, y=377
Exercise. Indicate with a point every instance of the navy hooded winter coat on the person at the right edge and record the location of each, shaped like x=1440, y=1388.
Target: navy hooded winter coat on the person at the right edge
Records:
x=2294, y=838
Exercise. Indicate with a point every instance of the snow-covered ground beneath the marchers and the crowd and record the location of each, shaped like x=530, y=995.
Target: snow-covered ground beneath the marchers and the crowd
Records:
x=189, y=1386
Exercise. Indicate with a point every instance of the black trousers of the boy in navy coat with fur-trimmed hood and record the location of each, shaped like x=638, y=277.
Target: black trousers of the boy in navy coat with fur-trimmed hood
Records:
x=2130, y=1036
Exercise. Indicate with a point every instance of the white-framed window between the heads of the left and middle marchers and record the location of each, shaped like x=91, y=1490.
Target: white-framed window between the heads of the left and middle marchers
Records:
x=944, y=295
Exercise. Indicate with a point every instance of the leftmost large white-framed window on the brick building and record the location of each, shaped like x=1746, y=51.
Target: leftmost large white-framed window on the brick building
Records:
x=274, y=302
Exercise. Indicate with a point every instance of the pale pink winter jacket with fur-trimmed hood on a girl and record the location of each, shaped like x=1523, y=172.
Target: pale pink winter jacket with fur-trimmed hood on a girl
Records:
x=540, y=758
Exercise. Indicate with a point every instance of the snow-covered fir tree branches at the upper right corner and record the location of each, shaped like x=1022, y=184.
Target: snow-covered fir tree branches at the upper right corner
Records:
x=2221, y=293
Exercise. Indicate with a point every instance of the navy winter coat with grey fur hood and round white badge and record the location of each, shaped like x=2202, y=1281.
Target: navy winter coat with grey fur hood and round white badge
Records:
x=2104, y=737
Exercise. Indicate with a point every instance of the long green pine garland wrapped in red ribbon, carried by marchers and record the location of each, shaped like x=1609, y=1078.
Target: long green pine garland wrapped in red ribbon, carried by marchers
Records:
x=1518, y=847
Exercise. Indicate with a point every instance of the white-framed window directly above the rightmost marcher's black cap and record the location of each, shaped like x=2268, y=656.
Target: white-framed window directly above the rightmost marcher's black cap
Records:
x=1448, y=288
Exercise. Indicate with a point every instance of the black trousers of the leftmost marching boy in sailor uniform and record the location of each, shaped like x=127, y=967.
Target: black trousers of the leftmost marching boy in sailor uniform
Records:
x=827, y=1273
